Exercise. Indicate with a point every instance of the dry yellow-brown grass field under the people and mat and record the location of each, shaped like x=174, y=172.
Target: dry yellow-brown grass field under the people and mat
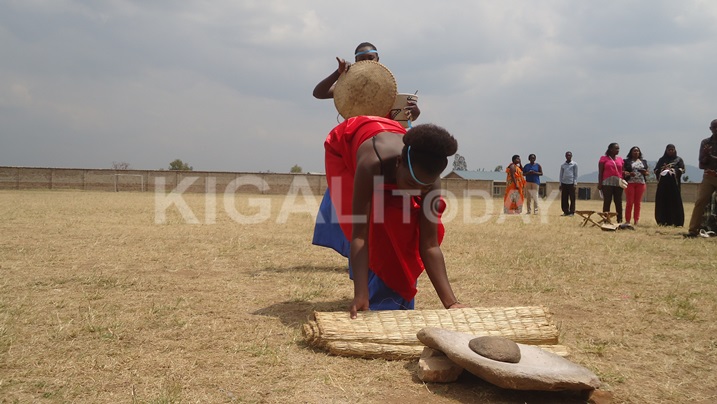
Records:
x=99, y=303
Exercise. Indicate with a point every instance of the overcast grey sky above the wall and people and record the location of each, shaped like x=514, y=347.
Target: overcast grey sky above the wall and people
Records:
x=225, y=85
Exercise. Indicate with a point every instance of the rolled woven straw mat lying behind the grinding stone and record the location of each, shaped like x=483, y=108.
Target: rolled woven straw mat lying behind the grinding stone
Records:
x=391, y=334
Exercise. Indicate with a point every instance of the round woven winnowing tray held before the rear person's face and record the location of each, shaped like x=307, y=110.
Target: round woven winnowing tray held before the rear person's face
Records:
x=367, y=88
